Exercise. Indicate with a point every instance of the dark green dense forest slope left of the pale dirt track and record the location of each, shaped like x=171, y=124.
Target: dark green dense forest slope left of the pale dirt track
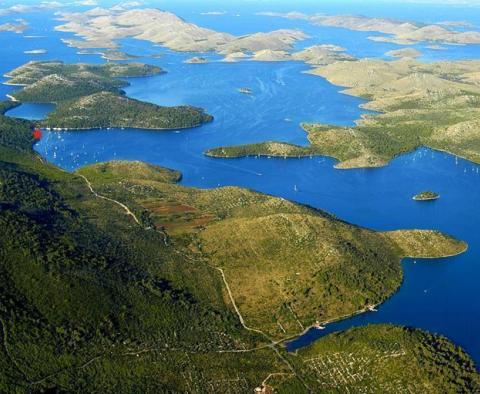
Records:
x=85, y=292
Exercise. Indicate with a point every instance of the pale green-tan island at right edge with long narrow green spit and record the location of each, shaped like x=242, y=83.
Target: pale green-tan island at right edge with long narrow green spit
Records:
x=416, y=104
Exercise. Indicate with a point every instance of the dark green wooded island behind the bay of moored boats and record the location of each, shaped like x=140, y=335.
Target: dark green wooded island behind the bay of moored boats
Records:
x=91, y=96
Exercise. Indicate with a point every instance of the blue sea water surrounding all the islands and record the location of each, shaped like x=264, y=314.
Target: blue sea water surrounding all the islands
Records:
x=440, y=295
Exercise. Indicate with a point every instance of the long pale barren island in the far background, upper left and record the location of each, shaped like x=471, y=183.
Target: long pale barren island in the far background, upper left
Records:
x=103, y=29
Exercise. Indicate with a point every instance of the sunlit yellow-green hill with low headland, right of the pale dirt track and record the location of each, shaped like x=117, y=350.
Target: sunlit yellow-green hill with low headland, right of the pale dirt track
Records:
x=255, y=239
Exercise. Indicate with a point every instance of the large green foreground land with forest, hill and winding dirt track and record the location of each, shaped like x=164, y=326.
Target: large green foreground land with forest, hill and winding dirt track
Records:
x=116, y=273
